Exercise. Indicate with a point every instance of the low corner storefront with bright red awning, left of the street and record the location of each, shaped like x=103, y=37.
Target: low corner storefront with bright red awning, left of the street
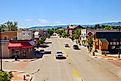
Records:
x=23, y=49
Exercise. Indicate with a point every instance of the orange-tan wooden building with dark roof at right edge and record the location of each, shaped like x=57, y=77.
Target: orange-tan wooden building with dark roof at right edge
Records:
x=109, y=42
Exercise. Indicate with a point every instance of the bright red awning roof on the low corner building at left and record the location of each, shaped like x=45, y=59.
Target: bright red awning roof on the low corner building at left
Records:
x=19, y=45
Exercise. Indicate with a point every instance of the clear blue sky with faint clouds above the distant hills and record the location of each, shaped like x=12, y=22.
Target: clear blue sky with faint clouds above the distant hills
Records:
x=30, y=13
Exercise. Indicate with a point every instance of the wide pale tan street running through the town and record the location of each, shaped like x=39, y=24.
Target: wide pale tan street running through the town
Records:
x=78, y=65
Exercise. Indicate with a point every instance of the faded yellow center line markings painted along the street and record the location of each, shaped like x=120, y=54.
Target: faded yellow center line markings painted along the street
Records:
x=75, y=73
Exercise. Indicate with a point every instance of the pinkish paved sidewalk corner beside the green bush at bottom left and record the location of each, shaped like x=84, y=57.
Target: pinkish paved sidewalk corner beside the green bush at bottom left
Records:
x=21, y=76
